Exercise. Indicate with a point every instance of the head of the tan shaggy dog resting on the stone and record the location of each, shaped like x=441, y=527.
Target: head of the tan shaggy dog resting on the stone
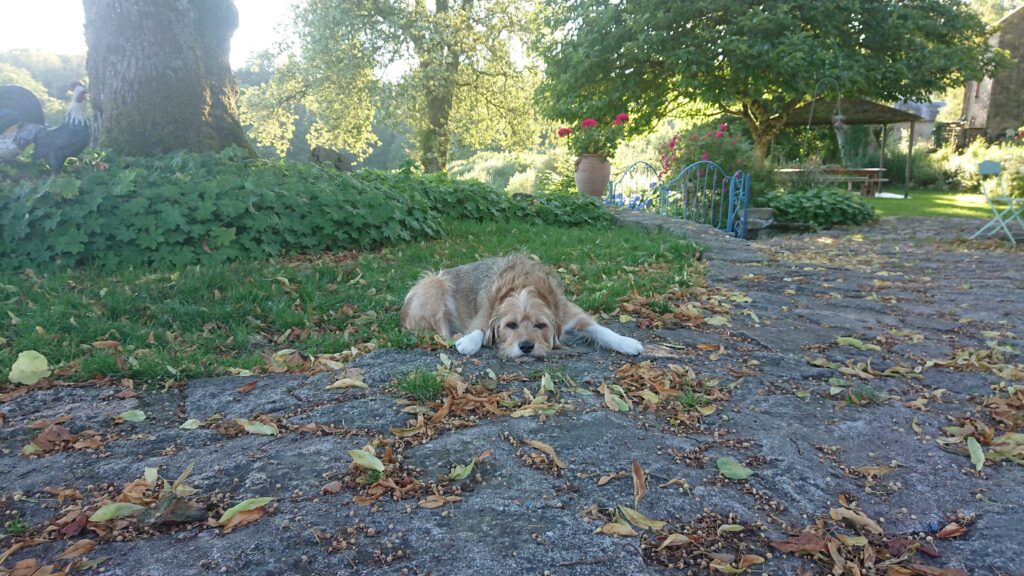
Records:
x=524, y=324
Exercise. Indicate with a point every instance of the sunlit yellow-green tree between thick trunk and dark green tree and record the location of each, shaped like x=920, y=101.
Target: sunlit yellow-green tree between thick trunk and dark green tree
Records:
x=460, y=83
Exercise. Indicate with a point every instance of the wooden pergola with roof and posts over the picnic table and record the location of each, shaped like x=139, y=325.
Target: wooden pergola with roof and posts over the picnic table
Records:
x=859, y=112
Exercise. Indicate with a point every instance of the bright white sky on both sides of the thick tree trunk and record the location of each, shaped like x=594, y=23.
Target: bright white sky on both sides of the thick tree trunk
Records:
x=56, y=26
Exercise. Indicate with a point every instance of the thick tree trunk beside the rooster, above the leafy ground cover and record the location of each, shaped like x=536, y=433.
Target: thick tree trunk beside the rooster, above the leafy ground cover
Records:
x=160, y=76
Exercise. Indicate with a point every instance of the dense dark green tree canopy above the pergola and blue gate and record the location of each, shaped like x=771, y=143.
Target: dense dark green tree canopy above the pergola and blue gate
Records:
x=755, y=60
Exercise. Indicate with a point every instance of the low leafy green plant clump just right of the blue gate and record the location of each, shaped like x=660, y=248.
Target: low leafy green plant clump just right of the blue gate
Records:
x=821, y=208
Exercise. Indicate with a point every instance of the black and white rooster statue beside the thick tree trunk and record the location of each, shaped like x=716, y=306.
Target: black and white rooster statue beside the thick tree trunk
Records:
x=22, y=125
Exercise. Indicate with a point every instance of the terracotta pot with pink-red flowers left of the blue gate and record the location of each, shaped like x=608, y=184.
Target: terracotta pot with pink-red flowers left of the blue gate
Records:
x=594, y=145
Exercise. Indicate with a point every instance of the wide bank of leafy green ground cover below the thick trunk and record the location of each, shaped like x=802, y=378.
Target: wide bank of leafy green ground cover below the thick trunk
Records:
x=187, y=209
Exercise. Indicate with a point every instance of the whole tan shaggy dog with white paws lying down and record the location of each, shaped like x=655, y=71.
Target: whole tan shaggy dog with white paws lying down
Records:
x=513, y=303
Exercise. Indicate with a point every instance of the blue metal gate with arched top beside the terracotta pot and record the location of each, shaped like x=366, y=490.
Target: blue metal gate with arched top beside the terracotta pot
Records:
x=702, y=193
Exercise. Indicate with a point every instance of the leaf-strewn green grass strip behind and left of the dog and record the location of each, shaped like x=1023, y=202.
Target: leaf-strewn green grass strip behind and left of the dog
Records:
x=206, y=320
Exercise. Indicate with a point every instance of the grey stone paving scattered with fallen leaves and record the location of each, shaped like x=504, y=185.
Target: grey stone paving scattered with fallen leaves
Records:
x=800, y=410
